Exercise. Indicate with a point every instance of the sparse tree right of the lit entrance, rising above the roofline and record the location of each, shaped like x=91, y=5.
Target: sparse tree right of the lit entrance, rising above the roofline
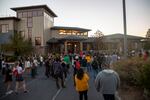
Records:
x=98, y=41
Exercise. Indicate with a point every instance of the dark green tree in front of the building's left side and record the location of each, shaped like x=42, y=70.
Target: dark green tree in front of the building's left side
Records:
x=18, y=44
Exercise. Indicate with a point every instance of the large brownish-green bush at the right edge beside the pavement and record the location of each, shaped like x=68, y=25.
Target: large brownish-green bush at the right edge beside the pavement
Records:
x=134, y=72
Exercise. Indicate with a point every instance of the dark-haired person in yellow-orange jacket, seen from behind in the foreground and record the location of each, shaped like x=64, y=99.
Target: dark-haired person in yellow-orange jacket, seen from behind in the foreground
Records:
x=81, y=84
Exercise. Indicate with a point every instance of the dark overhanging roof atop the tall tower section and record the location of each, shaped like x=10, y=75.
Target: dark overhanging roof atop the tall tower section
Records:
x=34, y=7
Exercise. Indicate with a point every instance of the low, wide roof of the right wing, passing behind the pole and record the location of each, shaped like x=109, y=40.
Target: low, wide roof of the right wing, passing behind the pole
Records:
x=121, y=36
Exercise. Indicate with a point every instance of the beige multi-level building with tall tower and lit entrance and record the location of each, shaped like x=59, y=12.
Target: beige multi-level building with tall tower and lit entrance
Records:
x=37, y=24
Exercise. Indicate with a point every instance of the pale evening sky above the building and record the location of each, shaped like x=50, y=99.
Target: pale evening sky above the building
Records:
x=103, y=15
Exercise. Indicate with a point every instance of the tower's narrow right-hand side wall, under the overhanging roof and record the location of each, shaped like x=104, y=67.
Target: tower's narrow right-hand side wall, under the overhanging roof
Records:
x=48, y=23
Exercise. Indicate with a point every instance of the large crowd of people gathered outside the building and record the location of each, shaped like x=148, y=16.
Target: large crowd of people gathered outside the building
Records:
x=58, y=67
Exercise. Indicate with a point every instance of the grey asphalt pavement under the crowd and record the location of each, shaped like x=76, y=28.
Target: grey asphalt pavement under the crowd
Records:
x=42, y=88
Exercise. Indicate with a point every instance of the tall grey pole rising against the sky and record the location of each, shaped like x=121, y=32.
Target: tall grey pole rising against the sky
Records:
x=125, y=28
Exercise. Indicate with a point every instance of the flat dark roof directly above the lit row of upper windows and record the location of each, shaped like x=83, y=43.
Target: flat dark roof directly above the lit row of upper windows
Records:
x=70, y=28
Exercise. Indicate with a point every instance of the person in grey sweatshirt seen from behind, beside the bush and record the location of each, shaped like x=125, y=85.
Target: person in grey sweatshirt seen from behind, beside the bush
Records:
x=107, y=82
